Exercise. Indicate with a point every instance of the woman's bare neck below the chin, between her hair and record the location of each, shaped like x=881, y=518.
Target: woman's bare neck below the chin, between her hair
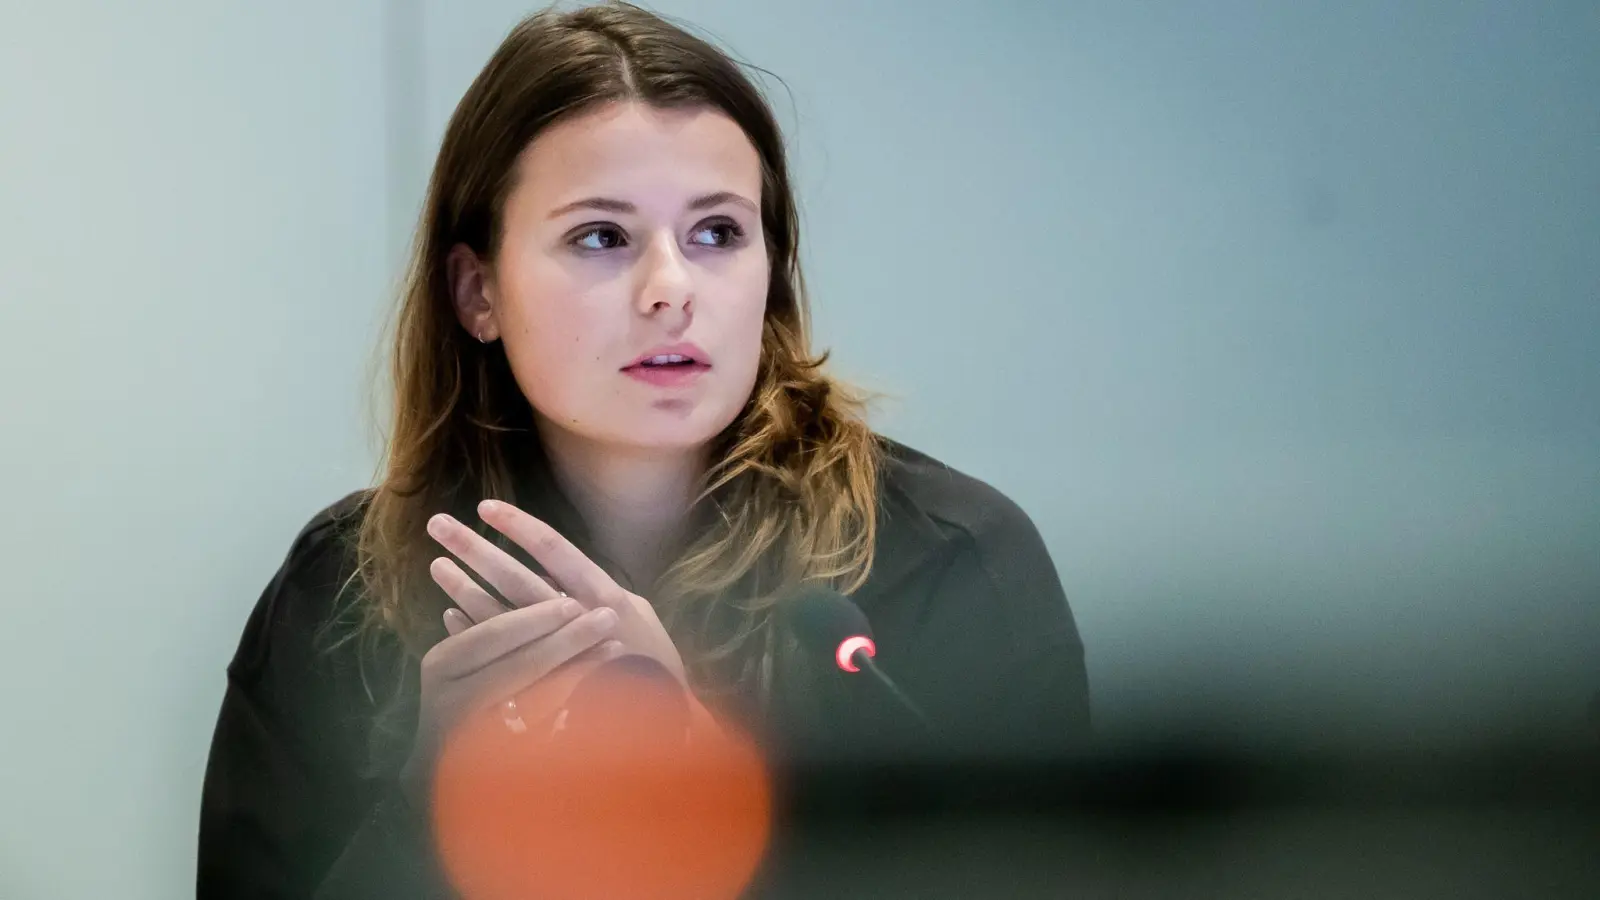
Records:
x=636, y=502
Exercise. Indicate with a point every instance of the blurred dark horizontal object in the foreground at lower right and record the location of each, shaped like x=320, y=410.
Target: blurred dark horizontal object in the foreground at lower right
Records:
x=1170, y=824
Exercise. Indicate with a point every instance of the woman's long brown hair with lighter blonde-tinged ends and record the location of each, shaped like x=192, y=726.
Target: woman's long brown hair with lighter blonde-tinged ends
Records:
x=793, y=492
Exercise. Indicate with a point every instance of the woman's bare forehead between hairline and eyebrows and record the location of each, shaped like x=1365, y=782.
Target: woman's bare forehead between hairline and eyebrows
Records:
x=630, y=148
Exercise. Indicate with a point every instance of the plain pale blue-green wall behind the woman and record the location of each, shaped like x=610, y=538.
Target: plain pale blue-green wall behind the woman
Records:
x=1279, y=323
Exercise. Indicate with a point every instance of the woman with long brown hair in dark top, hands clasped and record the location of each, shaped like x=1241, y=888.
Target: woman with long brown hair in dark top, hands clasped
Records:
x=612, y=438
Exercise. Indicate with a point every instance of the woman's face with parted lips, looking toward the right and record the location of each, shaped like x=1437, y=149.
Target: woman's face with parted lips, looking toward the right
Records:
x=631, y=281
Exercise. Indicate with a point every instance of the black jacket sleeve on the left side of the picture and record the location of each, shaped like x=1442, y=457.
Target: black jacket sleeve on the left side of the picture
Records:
x=289, y=811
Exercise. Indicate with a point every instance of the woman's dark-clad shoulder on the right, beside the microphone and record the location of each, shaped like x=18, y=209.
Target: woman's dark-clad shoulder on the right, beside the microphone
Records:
x=970, y=614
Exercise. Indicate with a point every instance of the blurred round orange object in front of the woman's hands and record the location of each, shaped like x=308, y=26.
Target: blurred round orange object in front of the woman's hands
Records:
x=614, y=784
